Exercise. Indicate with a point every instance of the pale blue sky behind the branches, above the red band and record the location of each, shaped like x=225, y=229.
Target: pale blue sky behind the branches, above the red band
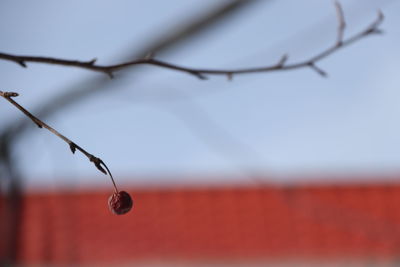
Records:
x=159, y=126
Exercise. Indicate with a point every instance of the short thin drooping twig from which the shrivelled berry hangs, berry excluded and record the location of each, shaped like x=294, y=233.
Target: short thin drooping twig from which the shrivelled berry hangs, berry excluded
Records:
x=99, y=163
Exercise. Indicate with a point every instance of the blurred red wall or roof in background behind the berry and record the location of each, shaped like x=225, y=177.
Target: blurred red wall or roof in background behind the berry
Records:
x=207, y=224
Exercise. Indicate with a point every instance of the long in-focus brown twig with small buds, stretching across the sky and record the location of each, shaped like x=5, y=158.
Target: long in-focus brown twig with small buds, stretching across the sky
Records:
x=202, y=73
